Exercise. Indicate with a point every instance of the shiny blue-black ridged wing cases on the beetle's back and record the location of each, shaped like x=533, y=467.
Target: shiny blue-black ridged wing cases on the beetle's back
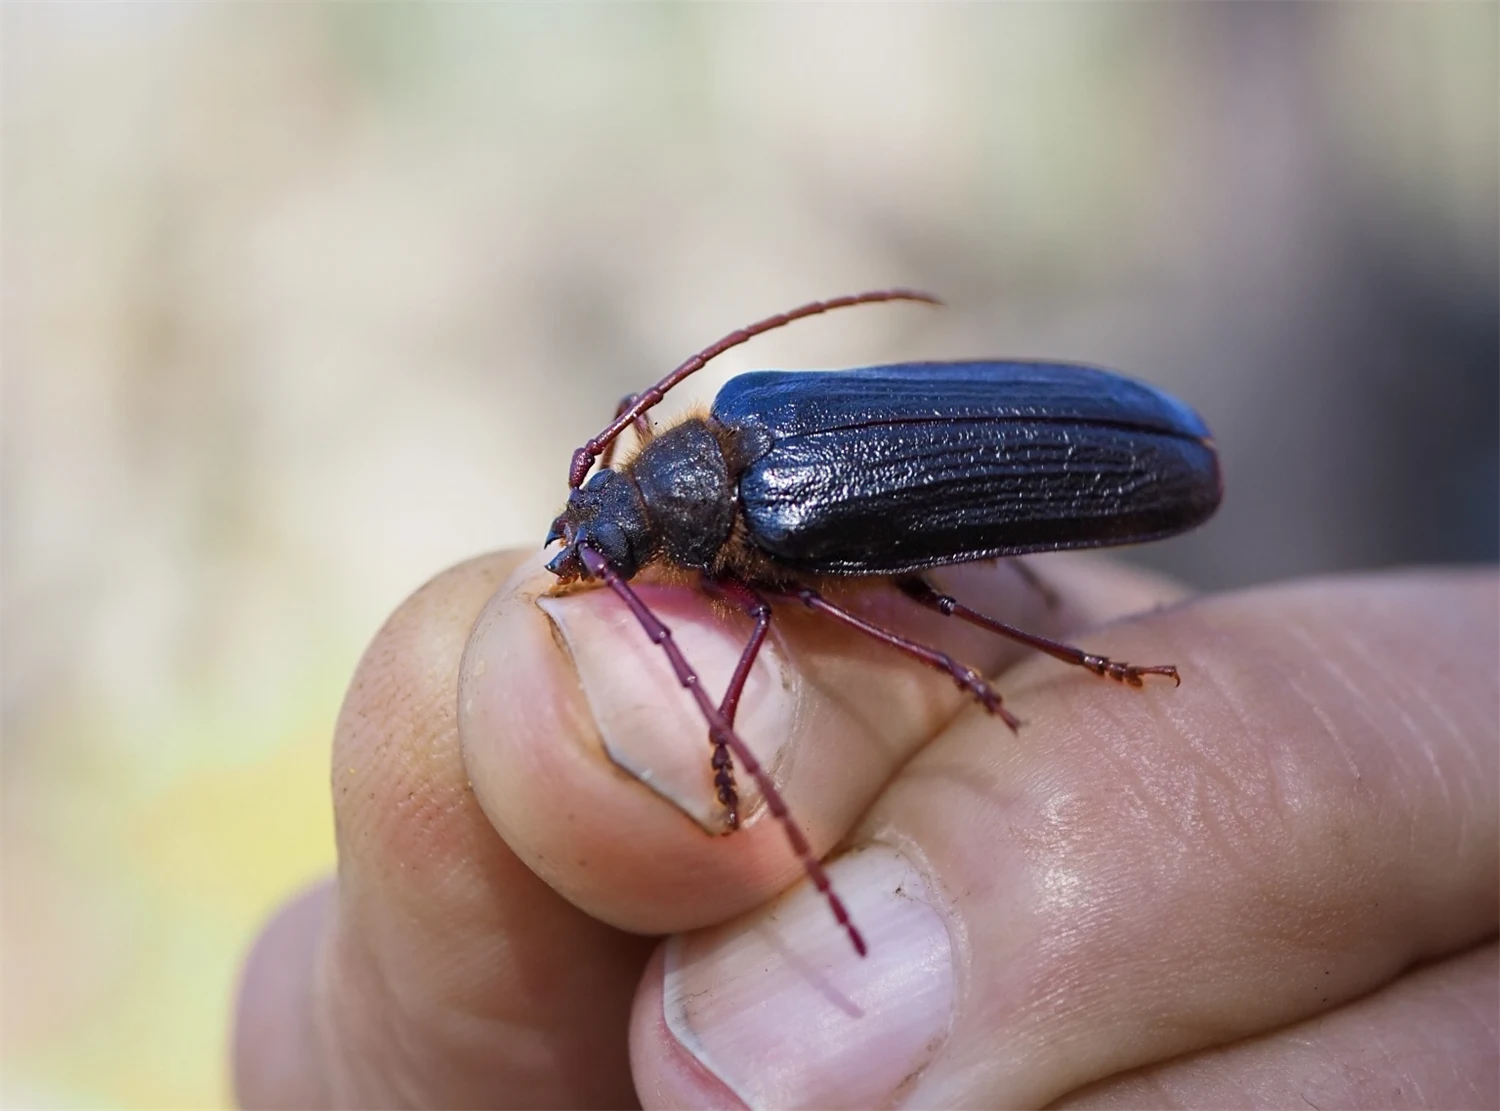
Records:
x=893, y=469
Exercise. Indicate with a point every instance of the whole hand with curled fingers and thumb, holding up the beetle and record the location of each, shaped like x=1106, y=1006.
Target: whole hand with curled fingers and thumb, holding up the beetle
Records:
x=1273, y=887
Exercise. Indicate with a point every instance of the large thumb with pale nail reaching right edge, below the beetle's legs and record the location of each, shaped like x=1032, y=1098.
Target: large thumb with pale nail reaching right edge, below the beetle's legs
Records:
x=1132, y=879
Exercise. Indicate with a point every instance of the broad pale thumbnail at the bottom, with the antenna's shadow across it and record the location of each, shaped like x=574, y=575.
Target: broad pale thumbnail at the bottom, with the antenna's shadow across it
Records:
x=787, y=1016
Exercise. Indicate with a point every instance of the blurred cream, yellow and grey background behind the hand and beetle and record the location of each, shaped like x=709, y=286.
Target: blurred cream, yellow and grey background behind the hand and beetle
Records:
x=308, y=302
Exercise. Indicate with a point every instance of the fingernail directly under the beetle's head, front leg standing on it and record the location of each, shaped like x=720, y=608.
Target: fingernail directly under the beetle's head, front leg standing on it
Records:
x=650, y=725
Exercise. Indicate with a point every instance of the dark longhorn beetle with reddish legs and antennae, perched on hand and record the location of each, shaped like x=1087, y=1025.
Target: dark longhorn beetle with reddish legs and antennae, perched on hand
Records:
x=884, y=472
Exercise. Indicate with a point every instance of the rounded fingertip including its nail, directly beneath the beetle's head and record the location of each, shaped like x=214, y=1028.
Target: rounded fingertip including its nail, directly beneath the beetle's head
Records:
x=595, y=767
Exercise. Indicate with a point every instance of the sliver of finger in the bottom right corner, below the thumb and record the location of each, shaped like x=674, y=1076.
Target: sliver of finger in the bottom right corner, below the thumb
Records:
x=1429, y=1041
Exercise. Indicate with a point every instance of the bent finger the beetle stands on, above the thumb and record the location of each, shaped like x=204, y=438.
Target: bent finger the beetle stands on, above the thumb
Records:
x=595, y=764
